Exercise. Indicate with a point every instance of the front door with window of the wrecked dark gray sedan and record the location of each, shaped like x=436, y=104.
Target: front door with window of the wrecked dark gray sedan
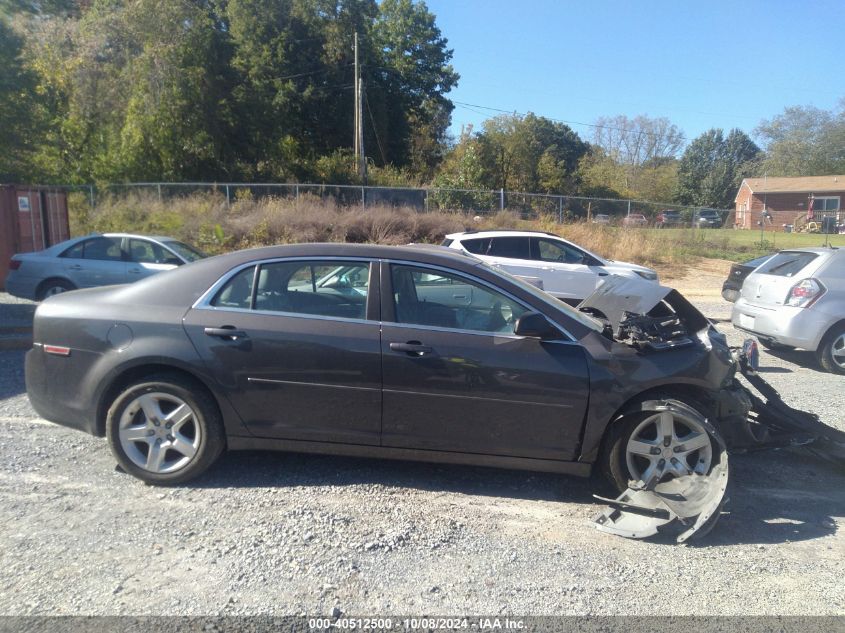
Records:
x=456, y=378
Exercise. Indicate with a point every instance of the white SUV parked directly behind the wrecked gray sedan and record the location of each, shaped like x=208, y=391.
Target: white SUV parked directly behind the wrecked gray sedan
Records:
x=563, y=269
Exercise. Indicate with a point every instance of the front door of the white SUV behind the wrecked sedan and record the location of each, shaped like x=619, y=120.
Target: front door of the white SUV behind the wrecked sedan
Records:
x=567, y=272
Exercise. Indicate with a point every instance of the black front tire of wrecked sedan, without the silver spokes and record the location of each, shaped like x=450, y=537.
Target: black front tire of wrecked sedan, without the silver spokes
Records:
x=616, y=461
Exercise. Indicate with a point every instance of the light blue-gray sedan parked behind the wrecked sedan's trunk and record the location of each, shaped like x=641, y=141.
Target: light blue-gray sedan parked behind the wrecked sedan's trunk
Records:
x=94, y=260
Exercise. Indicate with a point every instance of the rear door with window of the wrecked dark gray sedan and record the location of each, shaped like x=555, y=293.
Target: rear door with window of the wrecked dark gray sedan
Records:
x=297, y=360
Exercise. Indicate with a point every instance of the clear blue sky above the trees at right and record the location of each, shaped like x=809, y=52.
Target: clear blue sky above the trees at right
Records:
x=704, y=64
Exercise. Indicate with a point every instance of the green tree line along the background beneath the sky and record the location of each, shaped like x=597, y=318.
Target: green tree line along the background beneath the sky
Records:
x=262, y=90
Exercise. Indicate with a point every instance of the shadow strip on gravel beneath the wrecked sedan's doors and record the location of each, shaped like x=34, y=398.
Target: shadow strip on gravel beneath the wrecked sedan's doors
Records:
x=268, y=469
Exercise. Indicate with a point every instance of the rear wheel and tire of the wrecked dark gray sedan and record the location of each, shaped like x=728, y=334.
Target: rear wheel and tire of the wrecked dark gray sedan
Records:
x=165, y=429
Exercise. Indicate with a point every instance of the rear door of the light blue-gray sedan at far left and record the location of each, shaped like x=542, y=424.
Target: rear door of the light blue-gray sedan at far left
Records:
x=95, y=262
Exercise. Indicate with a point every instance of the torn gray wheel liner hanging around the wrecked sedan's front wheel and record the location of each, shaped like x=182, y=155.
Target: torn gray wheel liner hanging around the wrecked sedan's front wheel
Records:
x=688, y=506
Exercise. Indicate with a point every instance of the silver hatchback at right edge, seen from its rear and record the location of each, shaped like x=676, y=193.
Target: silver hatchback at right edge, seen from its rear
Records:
x=797, y=299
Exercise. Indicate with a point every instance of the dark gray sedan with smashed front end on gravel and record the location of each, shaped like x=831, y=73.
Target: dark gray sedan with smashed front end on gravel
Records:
x=408, y=353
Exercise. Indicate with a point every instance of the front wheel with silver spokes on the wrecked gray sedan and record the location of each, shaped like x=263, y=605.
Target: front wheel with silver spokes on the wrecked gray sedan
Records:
x=657, y=444
